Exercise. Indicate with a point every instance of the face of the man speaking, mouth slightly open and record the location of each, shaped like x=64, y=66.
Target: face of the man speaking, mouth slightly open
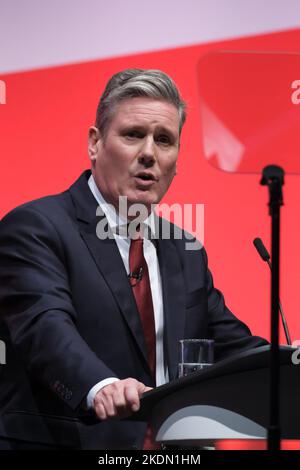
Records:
x=137, y=156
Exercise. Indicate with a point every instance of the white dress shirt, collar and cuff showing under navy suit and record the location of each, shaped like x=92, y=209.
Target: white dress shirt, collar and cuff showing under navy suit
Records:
x=123, y=243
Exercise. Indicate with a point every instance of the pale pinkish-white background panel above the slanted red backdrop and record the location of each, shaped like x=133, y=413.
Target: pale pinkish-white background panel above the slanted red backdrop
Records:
x=39, y=33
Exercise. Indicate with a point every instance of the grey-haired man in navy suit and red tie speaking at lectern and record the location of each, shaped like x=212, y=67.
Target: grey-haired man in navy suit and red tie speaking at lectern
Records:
x=91, y=322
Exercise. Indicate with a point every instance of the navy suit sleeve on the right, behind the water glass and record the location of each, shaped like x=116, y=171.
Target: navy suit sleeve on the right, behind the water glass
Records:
x=230, y=334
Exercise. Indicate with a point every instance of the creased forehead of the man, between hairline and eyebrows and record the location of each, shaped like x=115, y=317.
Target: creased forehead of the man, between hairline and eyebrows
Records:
x=146, y=111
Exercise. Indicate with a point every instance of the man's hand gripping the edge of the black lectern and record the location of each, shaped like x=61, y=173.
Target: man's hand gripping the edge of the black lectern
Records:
x=119, y=399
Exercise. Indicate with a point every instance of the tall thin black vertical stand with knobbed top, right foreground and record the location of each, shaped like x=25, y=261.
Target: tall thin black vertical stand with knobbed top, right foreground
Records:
x=273, y=177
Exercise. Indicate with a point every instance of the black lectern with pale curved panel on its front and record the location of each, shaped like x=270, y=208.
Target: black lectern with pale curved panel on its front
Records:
x=229, y=400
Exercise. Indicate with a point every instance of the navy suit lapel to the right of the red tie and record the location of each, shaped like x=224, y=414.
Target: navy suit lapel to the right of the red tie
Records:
x=174, y=301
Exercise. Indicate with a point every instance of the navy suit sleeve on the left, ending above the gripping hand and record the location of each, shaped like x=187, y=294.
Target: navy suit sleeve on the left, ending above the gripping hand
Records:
x=36, y=305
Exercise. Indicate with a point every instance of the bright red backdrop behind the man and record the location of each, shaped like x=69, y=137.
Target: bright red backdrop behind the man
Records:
x=43, y=149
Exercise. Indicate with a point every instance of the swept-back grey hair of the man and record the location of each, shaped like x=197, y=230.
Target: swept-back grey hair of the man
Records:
x=134, y=83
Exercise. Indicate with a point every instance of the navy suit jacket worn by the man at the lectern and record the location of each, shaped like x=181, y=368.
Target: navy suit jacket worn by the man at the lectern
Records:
x=69, y=320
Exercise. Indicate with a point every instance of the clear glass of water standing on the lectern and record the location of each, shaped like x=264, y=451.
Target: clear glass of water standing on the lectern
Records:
x=194, y=355
